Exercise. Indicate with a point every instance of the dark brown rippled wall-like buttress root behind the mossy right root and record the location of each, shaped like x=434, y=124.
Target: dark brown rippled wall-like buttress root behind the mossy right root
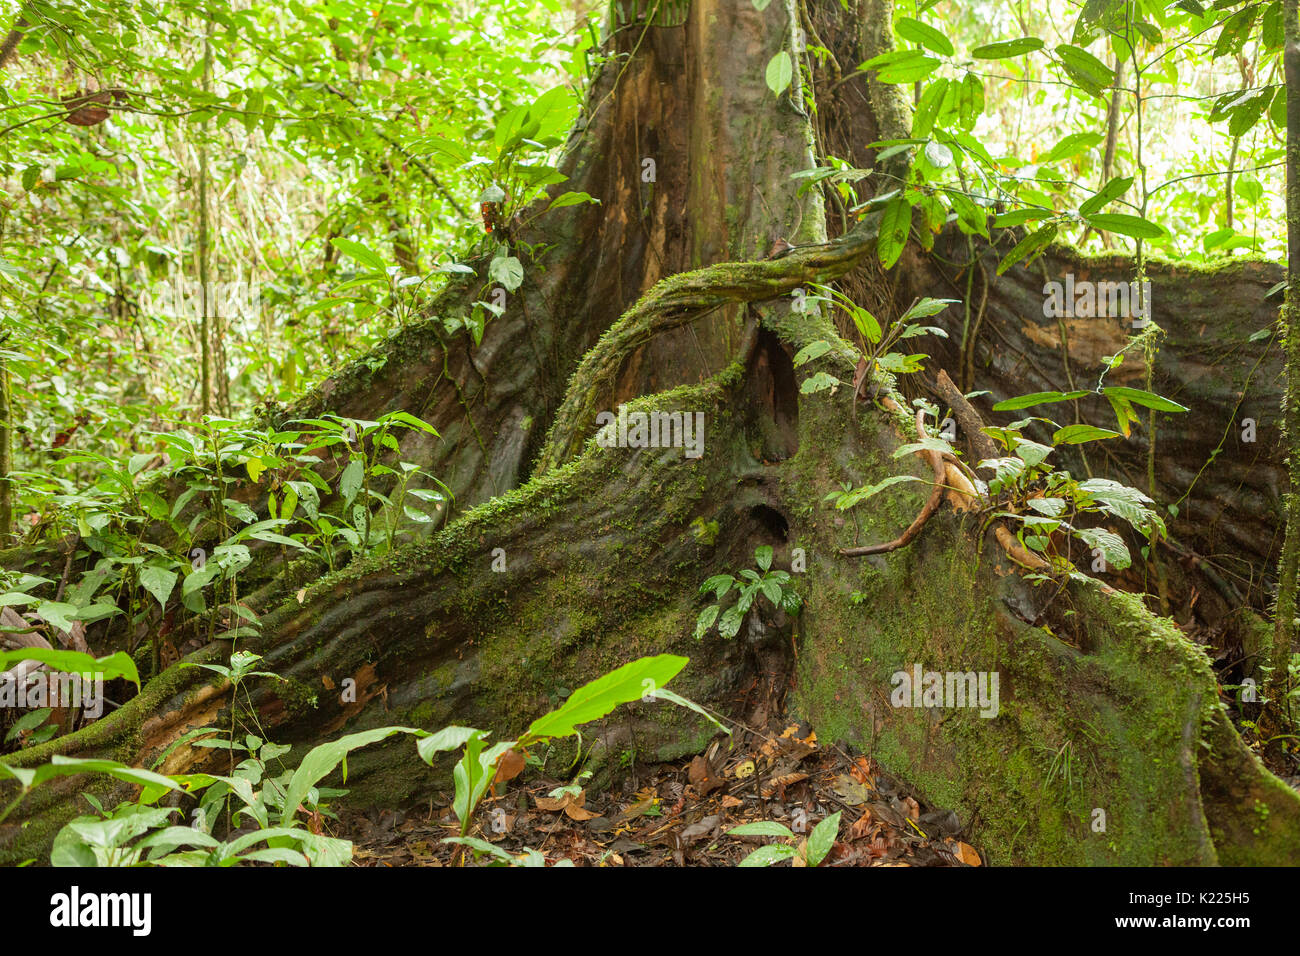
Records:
x=1221, y=464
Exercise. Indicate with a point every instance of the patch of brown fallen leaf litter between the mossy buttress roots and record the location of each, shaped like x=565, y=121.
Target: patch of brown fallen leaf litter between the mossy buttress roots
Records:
x=670, y=815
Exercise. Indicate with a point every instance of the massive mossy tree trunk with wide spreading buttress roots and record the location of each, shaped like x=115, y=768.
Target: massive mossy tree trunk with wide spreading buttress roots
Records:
x=661, y=292
